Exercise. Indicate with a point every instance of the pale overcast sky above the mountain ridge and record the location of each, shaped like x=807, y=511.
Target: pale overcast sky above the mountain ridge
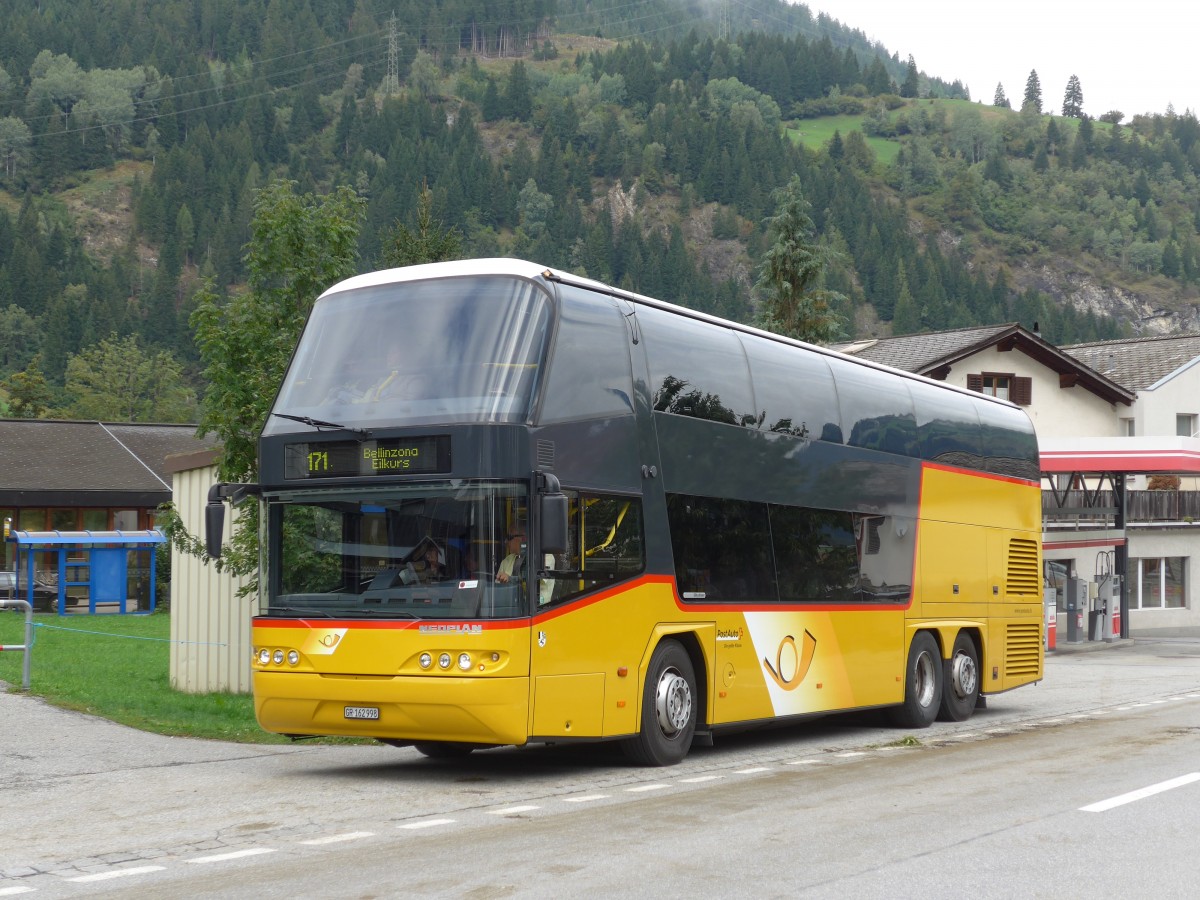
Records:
x=1133, y=57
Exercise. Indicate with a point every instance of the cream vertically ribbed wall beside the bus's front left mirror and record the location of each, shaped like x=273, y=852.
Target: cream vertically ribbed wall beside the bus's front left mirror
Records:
x=209, y=623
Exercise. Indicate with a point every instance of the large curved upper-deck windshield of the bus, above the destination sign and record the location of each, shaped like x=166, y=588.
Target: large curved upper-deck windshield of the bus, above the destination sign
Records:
x=446, y=351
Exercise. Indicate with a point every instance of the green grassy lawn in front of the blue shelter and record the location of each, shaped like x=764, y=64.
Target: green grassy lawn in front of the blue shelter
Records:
x=117, y=668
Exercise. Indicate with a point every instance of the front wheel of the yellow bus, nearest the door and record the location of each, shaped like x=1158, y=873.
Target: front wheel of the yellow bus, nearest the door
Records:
x=669, y=709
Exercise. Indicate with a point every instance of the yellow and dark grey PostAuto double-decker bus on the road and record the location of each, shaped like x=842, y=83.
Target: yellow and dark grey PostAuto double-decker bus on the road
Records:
x=506, y=506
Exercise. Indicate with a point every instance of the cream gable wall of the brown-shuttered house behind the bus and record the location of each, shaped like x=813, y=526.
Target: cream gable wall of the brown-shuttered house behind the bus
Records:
x=1055, y=412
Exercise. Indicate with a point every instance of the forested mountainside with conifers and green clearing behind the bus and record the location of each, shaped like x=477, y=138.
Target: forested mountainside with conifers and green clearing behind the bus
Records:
x=639, y=143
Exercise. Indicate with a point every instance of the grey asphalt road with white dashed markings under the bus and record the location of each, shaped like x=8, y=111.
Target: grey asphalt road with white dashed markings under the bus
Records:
x=838, y=808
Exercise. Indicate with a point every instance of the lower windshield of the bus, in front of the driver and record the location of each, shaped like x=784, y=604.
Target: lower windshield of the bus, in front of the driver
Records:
x=451, y=550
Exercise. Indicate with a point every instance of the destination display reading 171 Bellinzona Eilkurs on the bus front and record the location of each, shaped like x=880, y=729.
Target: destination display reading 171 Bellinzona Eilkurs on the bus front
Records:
x=385, y=457
